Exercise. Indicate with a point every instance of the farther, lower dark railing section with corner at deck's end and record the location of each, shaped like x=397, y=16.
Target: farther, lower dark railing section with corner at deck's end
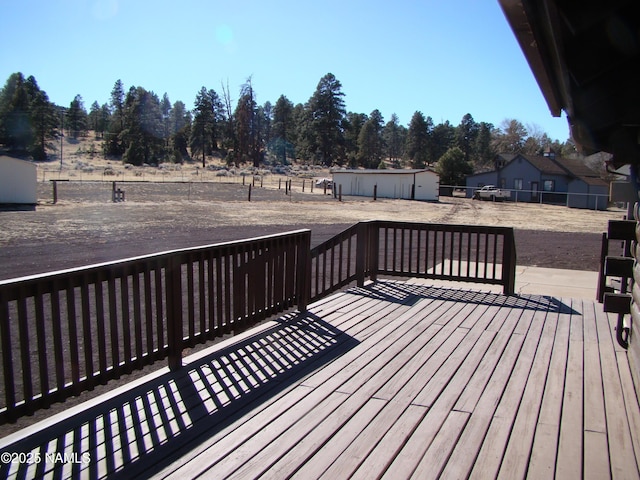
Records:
x=467, y=253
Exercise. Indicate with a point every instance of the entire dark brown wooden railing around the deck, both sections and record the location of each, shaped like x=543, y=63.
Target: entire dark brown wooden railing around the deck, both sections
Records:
x=64, y=332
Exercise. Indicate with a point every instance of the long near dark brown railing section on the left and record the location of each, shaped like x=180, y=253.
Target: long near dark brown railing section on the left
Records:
x=64, y=332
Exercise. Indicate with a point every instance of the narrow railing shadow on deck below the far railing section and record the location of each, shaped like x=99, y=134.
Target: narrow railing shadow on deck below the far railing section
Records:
x=410, y=294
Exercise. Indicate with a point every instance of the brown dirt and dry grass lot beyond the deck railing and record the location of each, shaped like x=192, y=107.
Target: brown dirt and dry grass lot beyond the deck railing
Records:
x=86, y=227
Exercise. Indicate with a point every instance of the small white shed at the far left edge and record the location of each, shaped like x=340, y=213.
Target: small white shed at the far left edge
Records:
x=18, y=181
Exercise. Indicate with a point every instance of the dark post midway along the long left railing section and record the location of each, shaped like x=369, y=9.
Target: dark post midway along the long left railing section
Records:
x=174, y=311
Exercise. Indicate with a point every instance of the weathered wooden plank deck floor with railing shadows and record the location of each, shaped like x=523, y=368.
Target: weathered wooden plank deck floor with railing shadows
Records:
x=393, y=380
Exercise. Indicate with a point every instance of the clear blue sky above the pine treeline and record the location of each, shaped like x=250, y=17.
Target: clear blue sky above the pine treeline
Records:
x=443, y=58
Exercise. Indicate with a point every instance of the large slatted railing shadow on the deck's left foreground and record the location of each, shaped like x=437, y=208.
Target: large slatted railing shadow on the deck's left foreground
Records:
x=138, y=431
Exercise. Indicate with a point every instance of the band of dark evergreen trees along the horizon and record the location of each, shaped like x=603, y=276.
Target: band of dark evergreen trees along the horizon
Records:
x=139, y=127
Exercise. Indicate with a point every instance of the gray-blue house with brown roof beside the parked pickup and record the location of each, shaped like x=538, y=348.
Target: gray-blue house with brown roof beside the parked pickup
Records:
x=545, y=179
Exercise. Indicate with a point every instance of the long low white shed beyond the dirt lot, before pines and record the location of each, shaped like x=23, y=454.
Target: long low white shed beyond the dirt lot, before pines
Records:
x=421, y=184
